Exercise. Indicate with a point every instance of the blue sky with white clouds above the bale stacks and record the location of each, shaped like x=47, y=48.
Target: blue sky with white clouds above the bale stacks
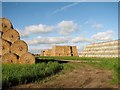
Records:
x=45, y=24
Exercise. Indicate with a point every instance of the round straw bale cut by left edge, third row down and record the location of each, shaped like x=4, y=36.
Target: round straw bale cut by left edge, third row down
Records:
x=4, y=46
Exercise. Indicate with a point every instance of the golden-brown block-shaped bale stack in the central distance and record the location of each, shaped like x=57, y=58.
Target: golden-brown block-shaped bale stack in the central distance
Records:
x=61, y=51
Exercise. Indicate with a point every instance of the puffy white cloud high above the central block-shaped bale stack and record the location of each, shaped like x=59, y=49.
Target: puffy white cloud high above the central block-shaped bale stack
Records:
x=66, y=27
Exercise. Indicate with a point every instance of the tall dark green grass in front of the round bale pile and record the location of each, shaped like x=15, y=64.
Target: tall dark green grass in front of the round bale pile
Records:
x=14, y=74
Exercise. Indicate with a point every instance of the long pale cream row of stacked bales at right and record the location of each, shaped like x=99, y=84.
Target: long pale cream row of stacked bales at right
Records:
x=103, y=49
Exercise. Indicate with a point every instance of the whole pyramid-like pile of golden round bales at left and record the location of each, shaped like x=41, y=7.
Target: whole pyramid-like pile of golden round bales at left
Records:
x=13, y=50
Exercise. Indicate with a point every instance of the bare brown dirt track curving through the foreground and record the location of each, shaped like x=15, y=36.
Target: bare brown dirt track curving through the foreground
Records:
x=84, y=76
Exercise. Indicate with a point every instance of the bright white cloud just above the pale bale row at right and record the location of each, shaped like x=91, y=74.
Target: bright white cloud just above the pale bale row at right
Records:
x=103, y=36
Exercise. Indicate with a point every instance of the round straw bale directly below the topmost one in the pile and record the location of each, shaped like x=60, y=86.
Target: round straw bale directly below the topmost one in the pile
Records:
x=11, y=35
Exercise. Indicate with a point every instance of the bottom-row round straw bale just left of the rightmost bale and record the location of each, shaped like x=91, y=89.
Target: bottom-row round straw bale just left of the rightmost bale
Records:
x=9, y=58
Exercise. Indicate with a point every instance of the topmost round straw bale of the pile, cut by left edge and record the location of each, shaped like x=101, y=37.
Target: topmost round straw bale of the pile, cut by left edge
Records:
x=5, y=23
